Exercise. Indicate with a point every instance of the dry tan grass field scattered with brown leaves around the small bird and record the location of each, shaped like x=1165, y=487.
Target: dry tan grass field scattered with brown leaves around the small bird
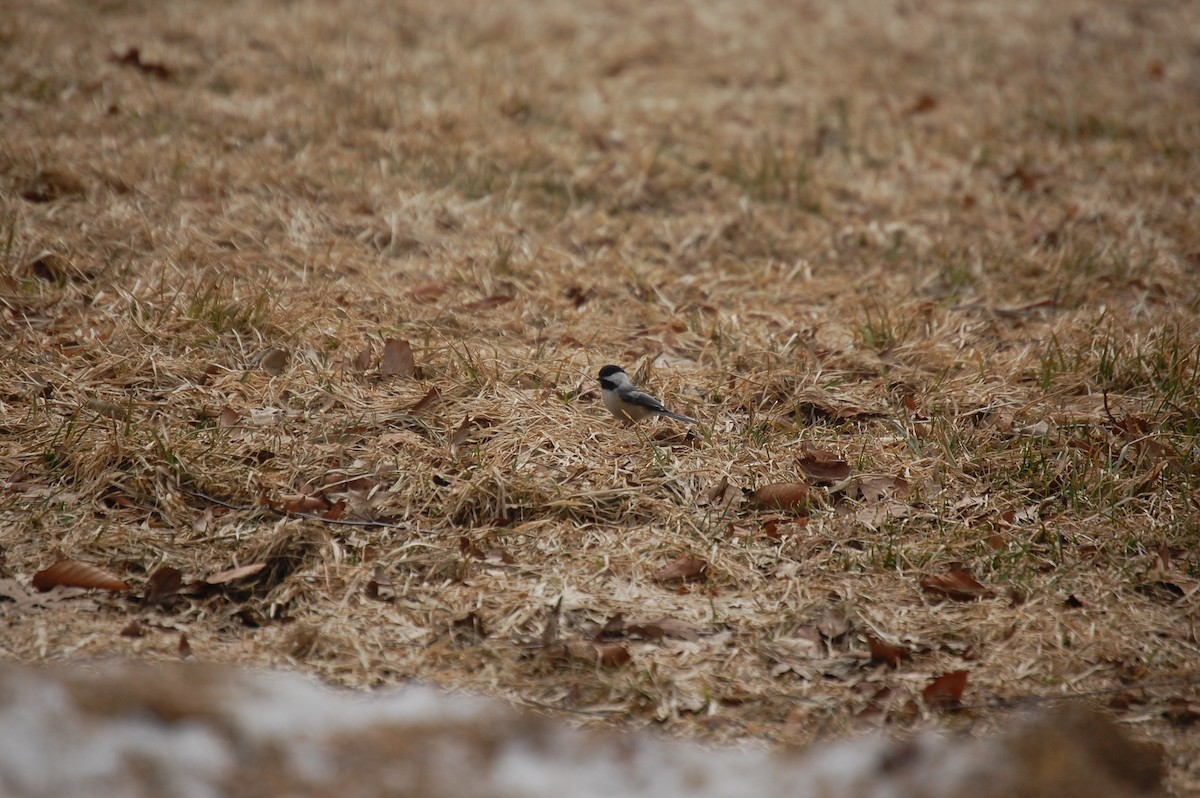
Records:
x=319, y=291
